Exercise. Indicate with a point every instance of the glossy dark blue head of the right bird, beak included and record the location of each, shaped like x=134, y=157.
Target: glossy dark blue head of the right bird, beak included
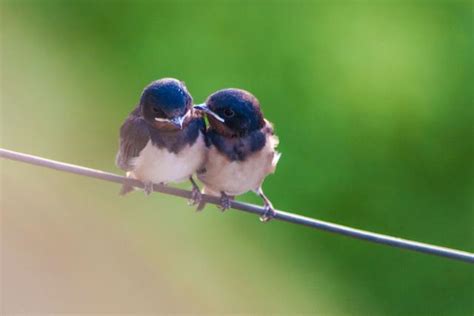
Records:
x=233, y=111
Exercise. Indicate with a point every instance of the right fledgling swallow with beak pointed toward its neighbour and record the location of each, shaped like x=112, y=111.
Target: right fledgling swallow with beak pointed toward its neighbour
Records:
x=242, y=147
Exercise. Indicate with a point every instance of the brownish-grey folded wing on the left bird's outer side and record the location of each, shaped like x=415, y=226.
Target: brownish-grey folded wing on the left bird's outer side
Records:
x=134, y=135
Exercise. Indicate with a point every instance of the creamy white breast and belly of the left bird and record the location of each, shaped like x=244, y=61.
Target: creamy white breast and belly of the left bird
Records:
x=158, y=165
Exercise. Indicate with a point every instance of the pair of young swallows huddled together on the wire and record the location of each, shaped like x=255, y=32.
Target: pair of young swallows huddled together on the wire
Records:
x=165, y=139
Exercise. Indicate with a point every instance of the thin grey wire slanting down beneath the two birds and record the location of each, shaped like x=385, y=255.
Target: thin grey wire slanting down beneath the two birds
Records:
x=250, y=208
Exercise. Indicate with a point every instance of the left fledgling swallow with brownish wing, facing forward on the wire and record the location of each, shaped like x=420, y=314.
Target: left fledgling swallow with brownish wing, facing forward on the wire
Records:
x=162, y=140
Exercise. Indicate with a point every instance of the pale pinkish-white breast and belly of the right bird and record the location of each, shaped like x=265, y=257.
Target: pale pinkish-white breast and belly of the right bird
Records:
x=238, y=177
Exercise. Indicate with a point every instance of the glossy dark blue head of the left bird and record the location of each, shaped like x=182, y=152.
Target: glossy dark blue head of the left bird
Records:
x=166, y=101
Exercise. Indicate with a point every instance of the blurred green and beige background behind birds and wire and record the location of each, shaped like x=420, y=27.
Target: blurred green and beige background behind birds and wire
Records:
x=373, y=103
